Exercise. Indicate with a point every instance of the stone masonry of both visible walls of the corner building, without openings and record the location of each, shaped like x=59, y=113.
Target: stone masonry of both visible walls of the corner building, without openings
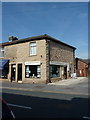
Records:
x=47, y=51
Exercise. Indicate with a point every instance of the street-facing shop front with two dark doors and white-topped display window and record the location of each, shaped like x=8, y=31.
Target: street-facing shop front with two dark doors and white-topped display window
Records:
x=24, y=71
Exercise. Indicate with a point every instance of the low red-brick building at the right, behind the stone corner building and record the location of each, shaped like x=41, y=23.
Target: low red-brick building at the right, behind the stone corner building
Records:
x=82, y=67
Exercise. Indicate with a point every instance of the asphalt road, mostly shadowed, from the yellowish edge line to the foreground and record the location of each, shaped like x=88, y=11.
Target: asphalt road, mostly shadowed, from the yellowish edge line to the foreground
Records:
x=30, y=106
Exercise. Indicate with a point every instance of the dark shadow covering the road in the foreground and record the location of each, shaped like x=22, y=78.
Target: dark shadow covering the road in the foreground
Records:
x=47, y=107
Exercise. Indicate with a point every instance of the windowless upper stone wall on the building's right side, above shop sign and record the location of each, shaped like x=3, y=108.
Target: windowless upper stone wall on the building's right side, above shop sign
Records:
x=61, y=52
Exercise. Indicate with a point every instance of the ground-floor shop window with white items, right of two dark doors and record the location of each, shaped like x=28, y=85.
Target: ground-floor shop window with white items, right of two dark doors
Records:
x=32, y=71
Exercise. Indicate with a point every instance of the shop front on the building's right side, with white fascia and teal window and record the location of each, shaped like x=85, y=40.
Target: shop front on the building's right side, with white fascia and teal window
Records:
x=60, y=70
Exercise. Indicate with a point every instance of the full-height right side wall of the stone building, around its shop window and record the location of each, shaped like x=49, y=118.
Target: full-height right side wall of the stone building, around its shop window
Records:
x=62, y=53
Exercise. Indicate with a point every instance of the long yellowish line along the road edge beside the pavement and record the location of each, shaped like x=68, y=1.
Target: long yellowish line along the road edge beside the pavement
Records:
x=36, y=90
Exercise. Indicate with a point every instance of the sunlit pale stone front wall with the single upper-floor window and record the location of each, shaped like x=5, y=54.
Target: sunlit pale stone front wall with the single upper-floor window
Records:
x=19, y=53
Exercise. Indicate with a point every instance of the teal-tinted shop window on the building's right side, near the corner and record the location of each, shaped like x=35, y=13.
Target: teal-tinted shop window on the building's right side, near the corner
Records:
x=54, y=71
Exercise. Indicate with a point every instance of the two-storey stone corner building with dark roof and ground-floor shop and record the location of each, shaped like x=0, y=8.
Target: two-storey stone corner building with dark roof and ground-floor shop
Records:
x=38, y=59
